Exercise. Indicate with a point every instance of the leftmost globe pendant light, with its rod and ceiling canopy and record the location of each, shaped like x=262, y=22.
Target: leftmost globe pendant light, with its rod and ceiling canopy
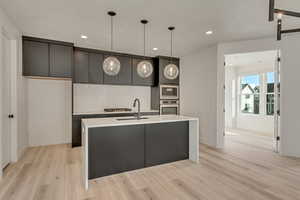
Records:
x=111, y=65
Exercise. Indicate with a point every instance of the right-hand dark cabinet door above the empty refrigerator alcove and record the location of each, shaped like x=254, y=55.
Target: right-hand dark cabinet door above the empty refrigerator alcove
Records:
x=61, y=59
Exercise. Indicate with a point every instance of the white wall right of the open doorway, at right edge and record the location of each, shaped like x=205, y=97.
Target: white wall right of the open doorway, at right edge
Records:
x=290, y=96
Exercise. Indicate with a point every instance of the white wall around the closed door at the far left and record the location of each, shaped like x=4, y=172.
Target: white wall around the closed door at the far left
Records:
x=18, y=85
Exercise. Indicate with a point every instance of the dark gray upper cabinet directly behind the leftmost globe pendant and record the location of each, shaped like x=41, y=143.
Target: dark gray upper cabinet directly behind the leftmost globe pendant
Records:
x=124, y=76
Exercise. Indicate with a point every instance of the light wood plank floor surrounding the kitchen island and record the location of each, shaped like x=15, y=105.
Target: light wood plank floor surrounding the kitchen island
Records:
x=237, y=172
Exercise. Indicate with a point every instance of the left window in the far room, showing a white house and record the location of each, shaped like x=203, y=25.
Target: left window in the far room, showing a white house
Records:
x=250, y=94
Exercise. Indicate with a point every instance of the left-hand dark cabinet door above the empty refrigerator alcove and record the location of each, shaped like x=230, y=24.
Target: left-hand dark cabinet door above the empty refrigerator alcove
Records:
x=35, y=58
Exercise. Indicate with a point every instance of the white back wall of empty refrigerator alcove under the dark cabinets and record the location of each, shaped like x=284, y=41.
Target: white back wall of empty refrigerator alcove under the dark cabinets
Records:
x=49, y=106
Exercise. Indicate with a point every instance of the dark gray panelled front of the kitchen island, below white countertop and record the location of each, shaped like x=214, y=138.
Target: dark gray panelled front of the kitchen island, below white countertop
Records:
x=122, y=148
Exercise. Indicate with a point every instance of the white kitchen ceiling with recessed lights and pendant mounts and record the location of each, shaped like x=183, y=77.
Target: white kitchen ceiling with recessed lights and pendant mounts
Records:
x=67, y=19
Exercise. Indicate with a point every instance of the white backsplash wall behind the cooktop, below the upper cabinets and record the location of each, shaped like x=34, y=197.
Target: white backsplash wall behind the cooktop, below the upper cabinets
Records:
x=94, y=98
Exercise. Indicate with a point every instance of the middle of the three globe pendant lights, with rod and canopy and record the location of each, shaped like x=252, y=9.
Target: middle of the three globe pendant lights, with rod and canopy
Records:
x=144, y=68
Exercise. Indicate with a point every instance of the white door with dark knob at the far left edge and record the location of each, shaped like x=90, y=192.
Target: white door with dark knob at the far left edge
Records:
x=6, y=102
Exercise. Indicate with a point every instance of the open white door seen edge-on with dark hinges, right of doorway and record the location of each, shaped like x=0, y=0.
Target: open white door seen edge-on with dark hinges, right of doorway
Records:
x=277, y=103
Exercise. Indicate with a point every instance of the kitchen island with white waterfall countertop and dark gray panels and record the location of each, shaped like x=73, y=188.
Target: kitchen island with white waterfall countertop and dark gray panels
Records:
x=115, y=145
